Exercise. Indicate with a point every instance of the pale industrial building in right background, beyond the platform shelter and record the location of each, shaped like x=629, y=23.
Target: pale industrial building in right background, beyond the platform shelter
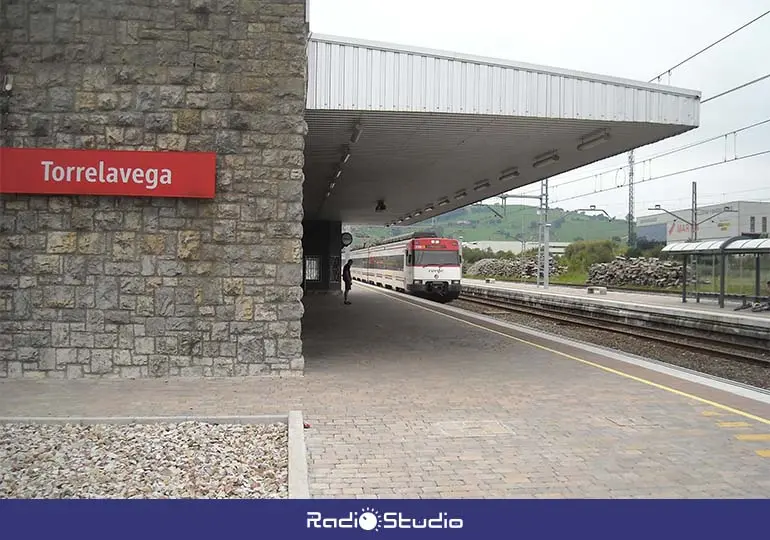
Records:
x=716, y=221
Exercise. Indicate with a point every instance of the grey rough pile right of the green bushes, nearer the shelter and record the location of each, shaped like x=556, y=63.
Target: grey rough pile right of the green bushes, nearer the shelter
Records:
x=639, y=272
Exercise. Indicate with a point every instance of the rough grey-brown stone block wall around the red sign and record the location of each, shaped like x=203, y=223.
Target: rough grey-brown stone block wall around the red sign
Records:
x=136, y=287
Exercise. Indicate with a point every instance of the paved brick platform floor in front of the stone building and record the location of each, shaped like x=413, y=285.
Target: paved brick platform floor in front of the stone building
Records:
x=406, y=402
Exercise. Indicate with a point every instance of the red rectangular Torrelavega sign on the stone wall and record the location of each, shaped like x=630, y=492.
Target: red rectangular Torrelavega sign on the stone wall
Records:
x=44, y=171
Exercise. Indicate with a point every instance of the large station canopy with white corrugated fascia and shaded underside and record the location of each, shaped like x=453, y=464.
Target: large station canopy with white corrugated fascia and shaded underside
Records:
x=426, y=132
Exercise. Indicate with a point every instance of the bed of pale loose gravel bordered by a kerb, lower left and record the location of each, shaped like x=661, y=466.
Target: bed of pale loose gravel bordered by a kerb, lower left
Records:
x=118, y=461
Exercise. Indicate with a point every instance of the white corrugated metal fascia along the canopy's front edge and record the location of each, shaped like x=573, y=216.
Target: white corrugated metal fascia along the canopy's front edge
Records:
x=348, y=75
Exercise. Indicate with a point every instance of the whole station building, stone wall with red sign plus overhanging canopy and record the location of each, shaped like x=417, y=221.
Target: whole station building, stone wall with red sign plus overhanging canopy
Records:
x=202, y=155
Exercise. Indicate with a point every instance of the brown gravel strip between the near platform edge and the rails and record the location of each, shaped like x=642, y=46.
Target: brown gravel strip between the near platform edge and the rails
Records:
x=718, y=366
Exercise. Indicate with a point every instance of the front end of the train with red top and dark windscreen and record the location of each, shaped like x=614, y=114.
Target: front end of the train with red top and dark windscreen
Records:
x=437, y=269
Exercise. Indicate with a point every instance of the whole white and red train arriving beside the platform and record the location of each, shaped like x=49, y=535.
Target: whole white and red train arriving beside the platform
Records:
x=417, y=263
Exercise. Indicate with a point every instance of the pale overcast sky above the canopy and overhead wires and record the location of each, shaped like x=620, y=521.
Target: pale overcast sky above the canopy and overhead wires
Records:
x=623, y=38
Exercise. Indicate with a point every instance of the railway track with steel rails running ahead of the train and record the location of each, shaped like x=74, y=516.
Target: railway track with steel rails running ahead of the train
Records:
x=701, y=342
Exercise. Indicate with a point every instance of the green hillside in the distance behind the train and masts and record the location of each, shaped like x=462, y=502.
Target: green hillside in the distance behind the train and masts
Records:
x=519, y=222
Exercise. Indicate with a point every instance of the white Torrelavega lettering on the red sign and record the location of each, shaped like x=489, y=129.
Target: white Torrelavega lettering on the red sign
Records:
x=102, y=174
